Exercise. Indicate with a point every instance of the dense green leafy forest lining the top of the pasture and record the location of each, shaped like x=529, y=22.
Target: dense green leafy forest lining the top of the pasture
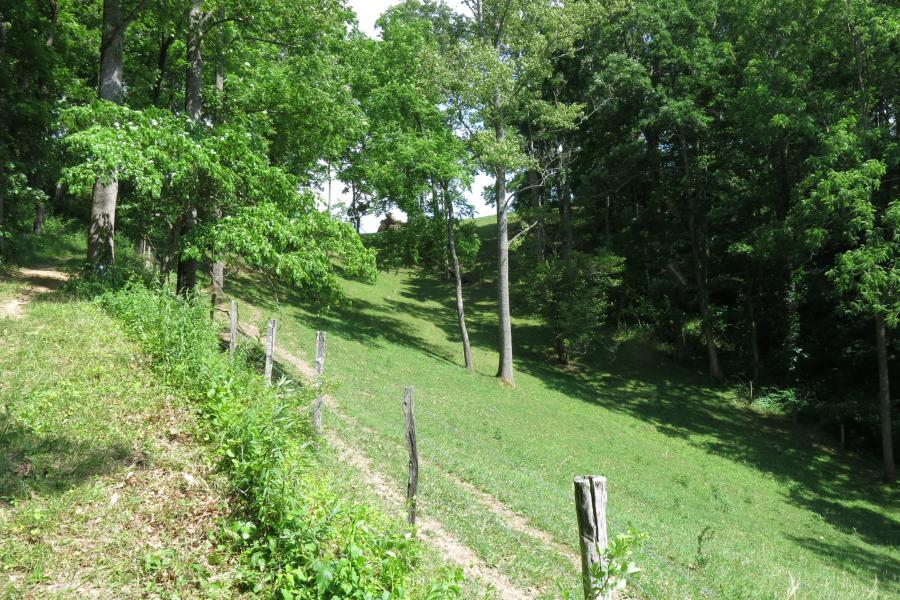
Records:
x=722, y=174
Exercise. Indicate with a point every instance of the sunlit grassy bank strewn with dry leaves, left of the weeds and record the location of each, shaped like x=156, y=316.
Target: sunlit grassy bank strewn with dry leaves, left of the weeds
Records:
x=102, y=491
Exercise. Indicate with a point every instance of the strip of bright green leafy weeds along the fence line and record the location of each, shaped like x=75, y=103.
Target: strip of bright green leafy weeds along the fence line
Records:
x=297, y=537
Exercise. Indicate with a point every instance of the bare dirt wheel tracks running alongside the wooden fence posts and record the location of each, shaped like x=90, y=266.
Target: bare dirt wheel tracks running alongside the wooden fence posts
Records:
x=432, y=530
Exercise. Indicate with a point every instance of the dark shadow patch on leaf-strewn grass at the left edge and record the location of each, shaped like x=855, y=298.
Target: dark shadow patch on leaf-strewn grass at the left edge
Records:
x=33, y=463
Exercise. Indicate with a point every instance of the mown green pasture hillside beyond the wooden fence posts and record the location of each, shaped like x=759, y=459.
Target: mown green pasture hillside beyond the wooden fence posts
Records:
x=776, y=509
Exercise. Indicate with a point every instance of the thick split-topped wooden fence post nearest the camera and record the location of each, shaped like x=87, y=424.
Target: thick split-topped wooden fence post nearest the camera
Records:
x=590, y=505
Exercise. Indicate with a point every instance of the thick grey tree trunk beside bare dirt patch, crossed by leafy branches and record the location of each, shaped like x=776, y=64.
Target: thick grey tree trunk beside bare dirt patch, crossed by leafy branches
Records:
x=111, y=86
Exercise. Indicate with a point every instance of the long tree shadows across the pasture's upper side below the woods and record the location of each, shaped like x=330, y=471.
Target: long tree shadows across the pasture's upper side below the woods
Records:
x=676, y=402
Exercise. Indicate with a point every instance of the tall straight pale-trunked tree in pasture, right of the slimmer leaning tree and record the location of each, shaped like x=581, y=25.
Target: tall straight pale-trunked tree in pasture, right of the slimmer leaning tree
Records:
x=503, y=57
